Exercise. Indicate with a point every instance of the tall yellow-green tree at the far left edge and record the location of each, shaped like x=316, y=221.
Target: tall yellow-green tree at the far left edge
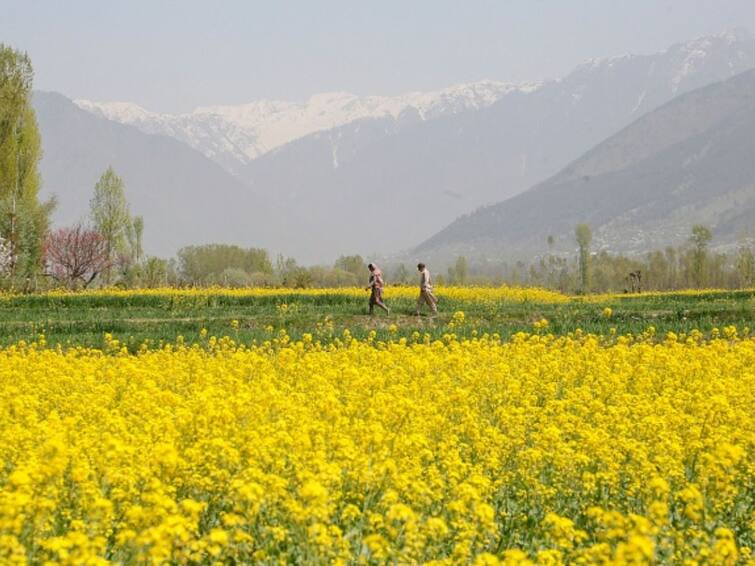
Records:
x=24, y=220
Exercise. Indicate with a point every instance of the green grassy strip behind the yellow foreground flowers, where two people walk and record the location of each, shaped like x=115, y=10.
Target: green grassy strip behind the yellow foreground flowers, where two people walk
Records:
x=81, y=319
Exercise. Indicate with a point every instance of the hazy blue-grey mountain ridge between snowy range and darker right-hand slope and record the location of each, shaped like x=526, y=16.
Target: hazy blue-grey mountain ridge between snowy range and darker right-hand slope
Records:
x=407, y=177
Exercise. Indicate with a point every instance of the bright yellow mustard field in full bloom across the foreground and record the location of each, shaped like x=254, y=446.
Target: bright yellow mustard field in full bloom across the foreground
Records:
x=417, y=442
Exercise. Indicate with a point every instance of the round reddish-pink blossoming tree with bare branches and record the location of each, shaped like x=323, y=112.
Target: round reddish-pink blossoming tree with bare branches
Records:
x=75, y=256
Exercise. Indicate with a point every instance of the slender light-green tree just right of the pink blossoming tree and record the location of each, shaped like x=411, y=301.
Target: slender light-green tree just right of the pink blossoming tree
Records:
x=111, y=217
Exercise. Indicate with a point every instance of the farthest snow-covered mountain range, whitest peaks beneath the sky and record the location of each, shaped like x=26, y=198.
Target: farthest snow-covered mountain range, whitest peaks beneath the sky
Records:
x=234, y=135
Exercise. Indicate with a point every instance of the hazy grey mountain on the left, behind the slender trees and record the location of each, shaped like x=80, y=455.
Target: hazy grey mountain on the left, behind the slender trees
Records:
x=184, y=197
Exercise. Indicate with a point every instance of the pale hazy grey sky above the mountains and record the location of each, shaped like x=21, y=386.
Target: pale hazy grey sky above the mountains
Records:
x=175, y=55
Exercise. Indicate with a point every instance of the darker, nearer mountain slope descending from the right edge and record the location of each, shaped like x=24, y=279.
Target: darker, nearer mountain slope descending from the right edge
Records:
x=690, y=161
